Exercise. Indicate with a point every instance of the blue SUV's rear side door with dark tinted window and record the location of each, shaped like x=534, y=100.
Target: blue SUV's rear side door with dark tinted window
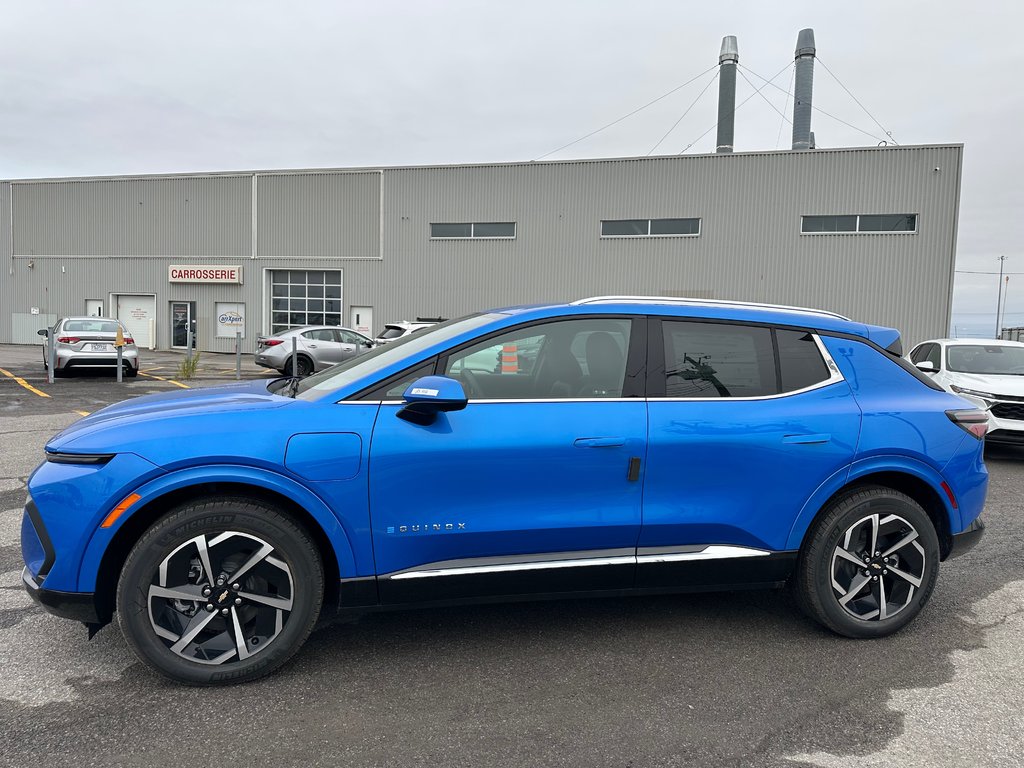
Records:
x=747, y=422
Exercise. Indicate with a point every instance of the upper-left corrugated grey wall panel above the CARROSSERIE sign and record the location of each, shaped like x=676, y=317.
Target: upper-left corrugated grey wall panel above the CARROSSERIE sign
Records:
x=187, y=217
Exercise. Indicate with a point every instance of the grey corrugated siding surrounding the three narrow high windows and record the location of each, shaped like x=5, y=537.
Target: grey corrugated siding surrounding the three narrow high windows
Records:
x=750, y=248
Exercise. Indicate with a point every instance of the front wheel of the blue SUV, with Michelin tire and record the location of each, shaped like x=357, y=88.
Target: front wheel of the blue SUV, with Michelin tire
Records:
x=234, y=532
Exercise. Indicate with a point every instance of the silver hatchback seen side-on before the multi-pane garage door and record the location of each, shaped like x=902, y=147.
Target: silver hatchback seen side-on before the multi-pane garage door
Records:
x=319, y=348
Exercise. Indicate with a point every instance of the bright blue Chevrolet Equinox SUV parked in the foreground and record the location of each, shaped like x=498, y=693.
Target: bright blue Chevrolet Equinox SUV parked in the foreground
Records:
x=653, y=446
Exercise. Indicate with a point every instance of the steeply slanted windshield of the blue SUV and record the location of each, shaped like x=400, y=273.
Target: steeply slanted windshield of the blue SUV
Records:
x=380, y=358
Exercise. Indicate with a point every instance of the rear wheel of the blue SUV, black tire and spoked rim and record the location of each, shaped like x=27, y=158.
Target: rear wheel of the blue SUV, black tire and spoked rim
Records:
x=863, y=584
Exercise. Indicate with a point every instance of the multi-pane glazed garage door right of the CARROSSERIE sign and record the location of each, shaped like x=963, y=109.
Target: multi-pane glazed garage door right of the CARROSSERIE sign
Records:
x=305, y=297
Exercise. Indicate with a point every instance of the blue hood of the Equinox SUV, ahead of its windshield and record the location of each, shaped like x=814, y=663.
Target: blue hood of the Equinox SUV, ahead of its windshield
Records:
x=139, y=414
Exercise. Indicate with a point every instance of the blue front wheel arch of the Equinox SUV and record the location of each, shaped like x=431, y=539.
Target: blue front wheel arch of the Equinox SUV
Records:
x=110, y=553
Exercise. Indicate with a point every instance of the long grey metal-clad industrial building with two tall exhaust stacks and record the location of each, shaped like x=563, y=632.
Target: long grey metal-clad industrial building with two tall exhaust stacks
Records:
x=870, y=233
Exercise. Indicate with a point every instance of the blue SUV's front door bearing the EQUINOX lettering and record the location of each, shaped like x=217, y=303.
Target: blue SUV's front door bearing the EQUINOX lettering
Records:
x=534, y=487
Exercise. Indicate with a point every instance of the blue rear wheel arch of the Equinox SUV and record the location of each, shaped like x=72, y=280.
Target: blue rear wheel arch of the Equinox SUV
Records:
x=920, y=483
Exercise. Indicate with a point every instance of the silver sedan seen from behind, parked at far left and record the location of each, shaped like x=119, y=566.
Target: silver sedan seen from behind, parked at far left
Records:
x=89, y=344
